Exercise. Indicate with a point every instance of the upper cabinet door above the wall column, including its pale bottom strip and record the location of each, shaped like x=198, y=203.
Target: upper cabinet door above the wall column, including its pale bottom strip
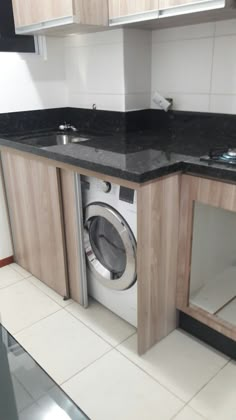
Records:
x=122, y=11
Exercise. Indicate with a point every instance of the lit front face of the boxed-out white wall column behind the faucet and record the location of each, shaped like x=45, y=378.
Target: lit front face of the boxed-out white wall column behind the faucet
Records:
x=95, y=70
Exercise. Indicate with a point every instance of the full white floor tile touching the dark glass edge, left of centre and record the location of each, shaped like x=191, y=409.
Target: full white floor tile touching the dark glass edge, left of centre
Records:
x=62, y=345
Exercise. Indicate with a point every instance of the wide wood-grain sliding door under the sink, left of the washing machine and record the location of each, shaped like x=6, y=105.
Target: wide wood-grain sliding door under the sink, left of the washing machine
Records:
x=36, y=215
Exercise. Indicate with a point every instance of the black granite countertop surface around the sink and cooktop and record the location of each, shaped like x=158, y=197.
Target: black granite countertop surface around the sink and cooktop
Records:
x=136, y=156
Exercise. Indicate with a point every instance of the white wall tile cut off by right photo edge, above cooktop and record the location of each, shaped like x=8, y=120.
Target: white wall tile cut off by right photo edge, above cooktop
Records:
x=224, y=65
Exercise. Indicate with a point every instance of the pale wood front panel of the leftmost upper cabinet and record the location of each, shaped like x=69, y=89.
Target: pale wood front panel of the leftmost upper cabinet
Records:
x=29, y=12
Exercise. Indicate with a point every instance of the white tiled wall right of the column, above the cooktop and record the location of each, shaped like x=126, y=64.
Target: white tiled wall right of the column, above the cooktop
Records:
x=196, y=66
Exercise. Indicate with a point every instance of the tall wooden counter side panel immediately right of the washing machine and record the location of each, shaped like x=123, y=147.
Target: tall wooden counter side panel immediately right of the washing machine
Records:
x=158, y=220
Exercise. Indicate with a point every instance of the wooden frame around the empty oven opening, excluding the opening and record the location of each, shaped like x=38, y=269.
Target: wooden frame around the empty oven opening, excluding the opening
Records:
x=208, y=192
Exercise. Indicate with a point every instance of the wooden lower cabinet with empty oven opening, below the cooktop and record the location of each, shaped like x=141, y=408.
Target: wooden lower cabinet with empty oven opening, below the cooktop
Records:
x=206, y=288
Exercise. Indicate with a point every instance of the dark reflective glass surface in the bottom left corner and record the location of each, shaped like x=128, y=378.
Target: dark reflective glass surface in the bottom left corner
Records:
x=26, y=391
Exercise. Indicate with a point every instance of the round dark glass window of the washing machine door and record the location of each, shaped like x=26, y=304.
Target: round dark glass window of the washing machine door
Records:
x=107, y=246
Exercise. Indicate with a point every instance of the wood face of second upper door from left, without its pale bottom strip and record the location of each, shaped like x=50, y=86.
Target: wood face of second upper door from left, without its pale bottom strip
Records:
x=119, y=8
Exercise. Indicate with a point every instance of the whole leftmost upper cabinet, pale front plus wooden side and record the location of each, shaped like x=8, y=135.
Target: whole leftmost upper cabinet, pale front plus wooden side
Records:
x=33, y=16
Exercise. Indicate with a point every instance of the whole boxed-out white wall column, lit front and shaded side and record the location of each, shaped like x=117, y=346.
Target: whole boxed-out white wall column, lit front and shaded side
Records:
x=111, y=69
